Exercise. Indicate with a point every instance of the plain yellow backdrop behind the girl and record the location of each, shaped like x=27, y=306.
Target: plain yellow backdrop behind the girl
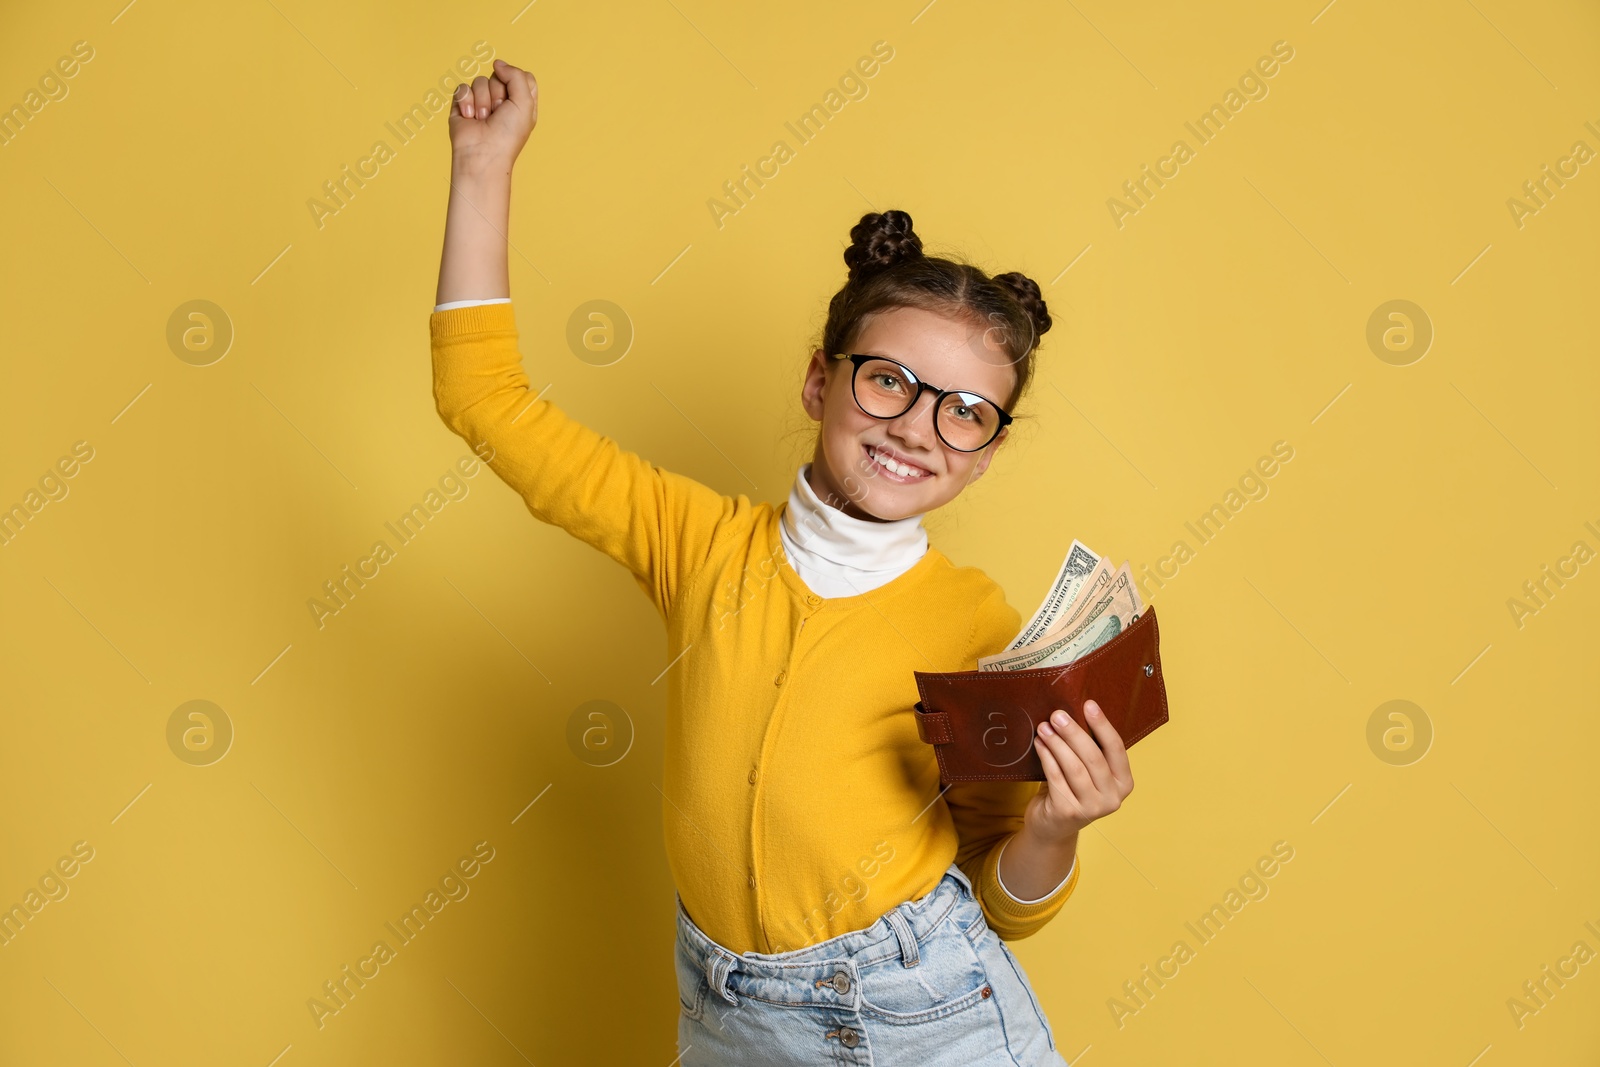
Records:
x=1228, y=314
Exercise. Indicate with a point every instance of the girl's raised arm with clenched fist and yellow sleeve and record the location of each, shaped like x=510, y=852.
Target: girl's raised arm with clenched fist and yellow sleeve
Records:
x=658, y=524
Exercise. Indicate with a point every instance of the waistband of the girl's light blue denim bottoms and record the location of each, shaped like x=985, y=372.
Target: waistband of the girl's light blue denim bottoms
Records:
x=826, y=973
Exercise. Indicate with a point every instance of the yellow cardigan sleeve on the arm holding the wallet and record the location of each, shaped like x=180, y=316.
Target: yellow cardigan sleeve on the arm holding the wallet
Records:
x=988, y=813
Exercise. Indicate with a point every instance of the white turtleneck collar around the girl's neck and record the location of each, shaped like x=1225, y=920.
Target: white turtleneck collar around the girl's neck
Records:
x=841, y=556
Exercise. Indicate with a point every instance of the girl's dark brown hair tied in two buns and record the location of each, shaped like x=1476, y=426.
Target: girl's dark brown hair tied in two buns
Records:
x=889, y=270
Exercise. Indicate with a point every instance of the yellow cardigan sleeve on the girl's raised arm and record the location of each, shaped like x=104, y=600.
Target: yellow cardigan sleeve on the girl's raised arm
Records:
x=654, y=522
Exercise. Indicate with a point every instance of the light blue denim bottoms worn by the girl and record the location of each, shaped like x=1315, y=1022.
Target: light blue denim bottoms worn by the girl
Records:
x=926, y=985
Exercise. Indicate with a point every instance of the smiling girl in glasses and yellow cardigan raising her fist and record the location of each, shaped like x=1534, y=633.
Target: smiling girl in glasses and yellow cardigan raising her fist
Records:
x=834, y=905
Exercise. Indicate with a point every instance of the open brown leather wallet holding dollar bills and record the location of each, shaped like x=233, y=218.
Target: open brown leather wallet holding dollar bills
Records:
x=982, y=724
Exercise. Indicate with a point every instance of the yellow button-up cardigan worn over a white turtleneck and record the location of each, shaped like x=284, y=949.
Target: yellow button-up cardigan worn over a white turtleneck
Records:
x=801, y=804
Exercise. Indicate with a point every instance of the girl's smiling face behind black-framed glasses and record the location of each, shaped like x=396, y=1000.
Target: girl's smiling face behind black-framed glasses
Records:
x=847, y=470
